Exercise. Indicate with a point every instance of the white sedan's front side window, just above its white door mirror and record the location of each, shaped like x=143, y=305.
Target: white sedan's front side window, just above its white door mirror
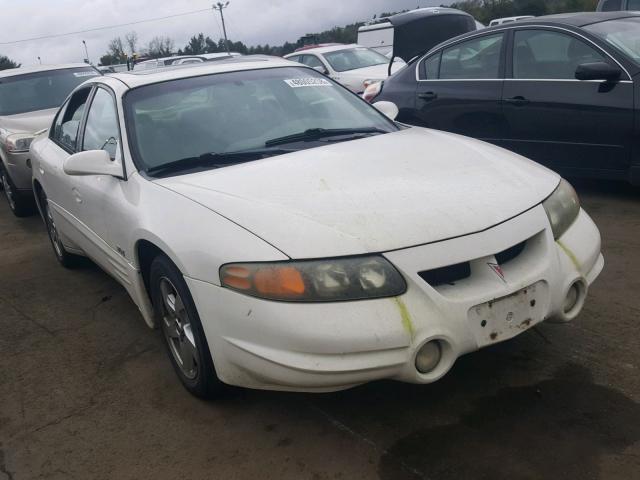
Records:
x=101, y=131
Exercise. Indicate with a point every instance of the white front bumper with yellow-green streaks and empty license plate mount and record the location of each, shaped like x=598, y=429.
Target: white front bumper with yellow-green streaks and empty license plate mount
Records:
x=331, y=346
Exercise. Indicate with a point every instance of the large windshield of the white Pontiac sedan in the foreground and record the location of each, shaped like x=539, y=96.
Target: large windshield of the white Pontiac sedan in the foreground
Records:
x=240, y=111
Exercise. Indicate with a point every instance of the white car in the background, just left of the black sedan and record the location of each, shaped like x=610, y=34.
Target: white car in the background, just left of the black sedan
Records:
x=353, y=66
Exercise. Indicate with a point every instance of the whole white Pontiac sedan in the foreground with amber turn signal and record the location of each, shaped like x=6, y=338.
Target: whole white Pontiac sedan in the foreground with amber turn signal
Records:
x=284, y=234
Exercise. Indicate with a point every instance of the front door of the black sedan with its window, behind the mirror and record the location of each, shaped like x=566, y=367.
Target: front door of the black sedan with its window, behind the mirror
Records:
x=557, y=120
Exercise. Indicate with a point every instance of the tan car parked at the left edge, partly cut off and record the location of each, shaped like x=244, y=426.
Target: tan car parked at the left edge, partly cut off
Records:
x=29, y=98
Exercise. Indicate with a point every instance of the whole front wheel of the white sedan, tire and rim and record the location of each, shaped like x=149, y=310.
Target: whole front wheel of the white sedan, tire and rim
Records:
x=182, y=330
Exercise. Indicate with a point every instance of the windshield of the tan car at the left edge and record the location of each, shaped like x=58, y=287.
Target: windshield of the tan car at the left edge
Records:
x=40, y=90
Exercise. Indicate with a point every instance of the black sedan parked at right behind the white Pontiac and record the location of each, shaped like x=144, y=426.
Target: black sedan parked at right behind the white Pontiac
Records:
x=558, y=90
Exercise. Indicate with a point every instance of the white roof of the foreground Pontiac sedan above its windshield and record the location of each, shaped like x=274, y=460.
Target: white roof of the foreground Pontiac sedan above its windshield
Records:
x=135, y=79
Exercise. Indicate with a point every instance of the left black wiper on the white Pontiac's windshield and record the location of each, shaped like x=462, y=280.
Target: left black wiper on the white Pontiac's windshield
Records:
x=216, y=160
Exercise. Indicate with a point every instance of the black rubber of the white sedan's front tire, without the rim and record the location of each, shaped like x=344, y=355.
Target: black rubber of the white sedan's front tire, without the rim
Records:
x=206, y=384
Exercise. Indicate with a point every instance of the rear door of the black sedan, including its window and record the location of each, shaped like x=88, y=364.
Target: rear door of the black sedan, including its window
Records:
x=460, y=88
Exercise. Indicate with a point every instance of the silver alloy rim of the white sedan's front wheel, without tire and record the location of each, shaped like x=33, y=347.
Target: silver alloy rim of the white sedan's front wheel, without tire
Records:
x=178, y=330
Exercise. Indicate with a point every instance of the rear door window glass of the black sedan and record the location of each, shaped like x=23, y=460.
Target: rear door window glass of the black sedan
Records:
x=478, y=58
